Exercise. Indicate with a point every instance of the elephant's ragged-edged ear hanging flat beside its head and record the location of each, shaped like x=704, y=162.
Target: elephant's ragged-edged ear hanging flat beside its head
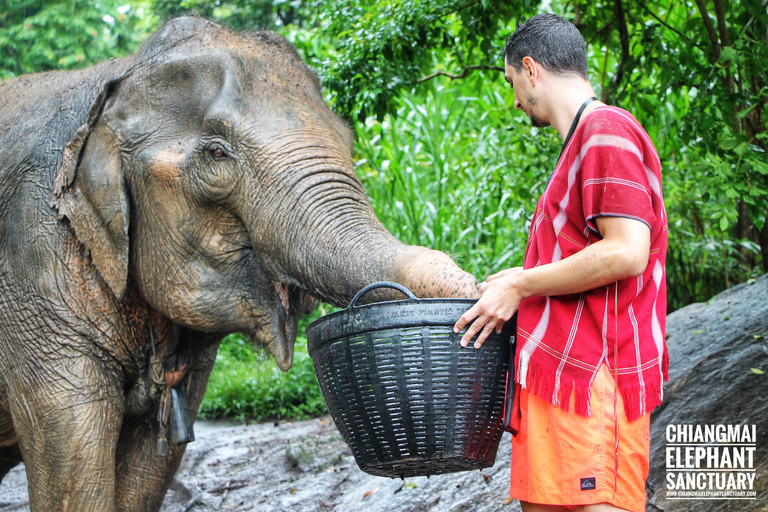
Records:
x=90, y=191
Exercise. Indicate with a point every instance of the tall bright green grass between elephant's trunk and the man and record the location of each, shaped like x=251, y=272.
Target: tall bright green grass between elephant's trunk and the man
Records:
x=454, y=170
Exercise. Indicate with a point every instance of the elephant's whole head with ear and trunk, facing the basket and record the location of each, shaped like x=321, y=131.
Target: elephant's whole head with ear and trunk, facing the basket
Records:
x=213, y=172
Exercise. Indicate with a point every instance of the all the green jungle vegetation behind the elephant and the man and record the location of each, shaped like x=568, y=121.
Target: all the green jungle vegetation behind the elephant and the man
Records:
x=446, y=160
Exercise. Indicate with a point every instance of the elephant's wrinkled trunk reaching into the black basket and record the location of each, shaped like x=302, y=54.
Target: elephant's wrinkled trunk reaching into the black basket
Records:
x=319, y=234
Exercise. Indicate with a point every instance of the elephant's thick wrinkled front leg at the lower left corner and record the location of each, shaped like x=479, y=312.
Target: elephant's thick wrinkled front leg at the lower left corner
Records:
x=67, y=421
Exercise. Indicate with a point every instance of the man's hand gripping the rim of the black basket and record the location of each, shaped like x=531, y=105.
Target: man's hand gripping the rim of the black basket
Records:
x=501, y=295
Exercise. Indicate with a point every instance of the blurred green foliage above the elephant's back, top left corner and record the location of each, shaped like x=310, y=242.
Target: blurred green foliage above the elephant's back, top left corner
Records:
x=42, y=35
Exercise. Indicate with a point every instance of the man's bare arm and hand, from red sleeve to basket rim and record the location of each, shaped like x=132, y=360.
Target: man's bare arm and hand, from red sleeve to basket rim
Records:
x=622, y=252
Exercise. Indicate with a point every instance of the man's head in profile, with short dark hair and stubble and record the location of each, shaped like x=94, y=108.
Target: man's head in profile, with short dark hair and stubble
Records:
x=544, y=44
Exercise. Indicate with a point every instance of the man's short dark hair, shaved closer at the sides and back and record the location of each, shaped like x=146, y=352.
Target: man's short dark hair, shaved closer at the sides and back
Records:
x=551, y=41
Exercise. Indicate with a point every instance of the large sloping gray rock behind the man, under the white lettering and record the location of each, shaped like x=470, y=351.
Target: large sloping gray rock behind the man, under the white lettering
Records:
x=713, y=348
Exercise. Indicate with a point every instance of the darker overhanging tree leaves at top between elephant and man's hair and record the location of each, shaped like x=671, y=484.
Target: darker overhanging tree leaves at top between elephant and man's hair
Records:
x=384, y=47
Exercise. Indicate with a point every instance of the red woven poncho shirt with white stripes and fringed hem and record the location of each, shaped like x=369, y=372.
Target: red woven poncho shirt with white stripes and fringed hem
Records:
x=609, y=168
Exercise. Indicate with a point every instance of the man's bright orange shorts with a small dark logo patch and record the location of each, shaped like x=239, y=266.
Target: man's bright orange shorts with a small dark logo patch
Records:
x=560, y=458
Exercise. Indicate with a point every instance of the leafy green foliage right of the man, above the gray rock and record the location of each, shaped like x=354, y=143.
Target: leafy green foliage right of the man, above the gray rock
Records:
x=697, y=82
